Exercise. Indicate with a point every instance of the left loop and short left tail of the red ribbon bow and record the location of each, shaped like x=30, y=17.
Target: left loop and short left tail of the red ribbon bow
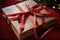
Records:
x=19, y=17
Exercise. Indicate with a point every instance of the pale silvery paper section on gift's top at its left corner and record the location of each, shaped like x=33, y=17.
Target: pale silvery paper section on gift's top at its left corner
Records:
x=11, y=10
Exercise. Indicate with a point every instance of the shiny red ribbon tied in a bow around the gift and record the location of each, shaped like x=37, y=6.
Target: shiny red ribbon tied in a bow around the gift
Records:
x=35, y=12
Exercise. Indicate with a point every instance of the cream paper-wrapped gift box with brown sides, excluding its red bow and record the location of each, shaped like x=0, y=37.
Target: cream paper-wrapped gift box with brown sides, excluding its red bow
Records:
x=28, y=26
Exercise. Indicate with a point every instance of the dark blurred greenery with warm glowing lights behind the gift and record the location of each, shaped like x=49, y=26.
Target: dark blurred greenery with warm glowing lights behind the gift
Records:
x=53, y=4
